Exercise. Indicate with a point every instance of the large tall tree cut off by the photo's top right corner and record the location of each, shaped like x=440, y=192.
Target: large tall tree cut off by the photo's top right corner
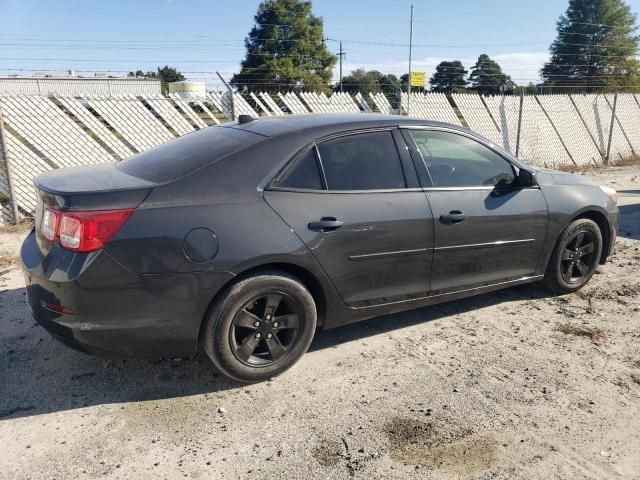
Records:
x=595, y=47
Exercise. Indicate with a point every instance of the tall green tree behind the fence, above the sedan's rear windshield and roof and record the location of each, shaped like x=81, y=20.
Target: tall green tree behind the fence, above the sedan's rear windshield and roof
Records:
x=285, y=49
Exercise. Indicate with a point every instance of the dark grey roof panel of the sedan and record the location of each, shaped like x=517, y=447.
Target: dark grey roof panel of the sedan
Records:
x=284, y=124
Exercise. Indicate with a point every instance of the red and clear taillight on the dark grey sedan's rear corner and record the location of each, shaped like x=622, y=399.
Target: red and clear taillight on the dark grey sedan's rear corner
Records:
x=85, y=231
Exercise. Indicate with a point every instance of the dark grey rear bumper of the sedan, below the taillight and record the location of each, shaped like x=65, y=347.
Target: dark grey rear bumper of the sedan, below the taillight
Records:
x=112, y=311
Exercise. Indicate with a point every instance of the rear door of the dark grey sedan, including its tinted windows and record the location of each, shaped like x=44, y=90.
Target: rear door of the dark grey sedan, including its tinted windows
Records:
x=355, y=201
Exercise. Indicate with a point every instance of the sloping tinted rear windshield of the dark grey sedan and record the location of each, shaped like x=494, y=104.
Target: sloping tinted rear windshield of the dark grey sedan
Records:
x=187, y=154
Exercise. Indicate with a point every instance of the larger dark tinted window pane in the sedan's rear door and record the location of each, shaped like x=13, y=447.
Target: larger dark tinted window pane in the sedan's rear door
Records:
x=365, y=161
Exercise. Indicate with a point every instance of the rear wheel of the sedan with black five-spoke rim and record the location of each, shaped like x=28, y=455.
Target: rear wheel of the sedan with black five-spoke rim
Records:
x=259, y=326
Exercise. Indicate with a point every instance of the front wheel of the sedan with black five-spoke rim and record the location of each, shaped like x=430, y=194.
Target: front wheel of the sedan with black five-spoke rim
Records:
x=575, y=257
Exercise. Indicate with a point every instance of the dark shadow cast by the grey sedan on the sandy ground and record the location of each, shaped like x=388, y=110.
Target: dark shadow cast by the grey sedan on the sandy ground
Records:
x=39, y=375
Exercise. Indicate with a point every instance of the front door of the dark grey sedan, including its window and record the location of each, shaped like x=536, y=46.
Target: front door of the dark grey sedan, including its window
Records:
x=486, y=229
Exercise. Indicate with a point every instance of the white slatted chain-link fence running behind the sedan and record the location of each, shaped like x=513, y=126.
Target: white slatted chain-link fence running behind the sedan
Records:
x=46, y=132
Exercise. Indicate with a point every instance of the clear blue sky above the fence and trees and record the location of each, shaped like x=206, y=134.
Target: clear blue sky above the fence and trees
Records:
x=200, y=37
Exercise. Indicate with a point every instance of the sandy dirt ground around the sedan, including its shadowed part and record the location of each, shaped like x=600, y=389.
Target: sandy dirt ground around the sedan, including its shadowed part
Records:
x=513, y=384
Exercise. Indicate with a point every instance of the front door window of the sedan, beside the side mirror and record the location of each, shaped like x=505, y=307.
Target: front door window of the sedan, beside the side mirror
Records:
x=458, y=161
